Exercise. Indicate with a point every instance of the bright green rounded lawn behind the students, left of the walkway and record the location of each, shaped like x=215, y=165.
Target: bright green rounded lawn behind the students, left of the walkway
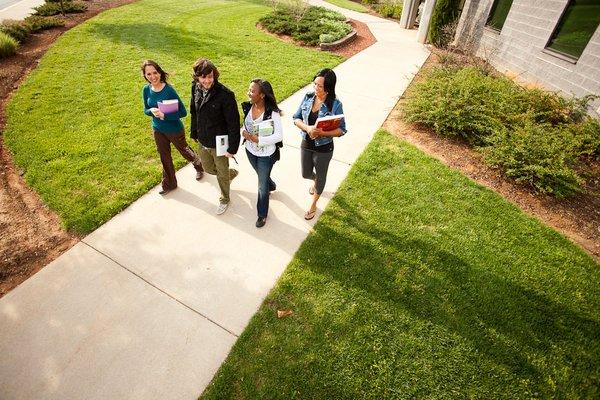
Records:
x=76, y=125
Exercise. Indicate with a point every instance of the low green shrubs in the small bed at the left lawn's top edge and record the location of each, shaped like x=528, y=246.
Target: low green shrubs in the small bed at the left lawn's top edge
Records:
x=312, y=26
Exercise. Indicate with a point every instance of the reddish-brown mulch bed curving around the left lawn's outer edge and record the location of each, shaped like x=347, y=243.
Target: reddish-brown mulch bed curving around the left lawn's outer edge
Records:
x=31, y=235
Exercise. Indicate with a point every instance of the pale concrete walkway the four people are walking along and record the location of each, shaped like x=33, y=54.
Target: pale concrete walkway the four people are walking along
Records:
x=149, y=305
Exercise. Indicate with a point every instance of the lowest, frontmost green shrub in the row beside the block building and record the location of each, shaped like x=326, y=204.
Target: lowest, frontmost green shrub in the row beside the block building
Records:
x=540, y=155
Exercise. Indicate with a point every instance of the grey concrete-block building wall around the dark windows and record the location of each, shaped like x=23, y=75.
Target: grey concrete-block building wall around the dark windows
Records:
x=519, y=48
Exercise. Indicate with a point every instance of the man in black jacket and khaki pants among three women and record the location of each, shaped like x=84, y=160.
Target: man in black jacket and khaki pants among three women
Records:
x=214, y=113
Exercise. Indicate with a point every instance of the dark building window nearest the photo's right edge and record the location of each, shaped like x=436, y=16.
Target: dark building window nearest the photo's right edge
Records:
x=575, y=27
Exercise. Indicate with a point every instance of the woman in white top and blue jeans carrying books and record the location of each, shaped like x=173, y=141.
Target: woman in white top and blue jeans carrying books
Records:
x=263, y=136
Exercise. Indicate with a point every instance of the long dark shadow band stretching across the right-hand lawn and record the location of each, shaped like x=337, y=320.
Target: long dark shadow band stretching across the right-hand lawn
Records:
x=502, y=319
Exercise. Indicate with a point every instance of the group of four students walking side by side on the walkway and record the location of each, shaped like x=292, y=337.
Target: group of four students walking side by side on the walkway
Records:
x=214, y=113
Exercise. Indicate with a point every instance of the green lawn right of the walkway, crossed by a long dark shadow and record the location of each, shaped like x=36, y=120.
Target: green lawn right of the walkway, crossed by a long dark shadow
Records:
x=418, y=283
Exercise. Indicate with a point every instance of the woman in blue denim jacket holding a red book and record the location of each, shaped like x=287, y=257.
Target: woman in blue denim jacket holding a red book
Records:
x=317, y=145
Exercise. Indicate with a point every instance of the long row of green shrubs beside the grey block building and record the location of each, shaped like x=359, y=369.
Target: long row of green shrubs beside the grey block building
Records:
x=534, y=136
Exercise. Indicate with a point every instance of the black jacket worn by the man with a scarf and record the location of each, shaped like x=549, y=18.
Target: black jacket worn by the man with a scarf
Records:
x=219, y=115
